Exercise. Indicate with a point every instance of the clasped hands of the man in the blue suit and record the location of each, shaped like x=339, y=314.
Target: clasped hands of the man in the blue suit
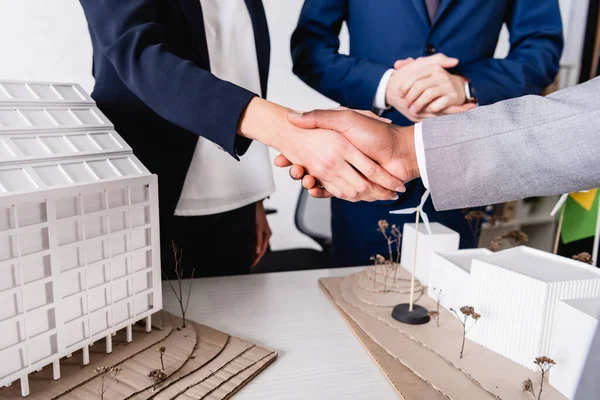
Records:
x=422, y=88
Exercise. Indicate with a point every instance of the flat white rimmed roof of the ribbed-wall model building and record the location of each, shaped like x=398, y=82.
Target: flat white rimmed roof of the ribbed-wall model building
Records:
x=541, y=265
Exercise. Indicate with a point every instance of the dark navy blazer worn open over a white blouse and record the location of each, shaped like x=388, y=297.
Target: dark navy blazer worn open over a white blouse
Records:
x=153, y=81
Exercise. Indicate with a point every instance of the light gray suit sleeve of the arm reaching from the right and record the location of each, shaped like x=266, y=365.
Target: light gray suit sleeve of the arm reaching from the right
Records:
x=529, y=146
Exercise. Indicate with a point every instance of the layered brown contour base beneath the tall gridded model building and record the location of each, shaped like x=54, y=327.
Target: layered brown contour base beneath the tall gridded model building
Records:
x=200, y=363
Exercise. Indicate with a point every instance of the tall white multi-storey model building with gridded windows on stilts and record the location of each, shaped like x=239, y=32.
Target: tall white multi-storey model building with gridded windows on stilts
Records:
x=79, y=239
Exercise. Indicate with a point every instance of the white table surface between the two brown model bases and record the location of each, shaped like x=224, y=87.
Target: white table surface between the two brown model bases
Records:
x=319, y=356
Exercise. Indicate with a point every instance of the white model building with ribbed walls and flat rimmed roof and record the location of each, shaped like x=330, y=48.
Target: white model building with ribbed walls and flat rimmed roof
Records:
x=516, y=291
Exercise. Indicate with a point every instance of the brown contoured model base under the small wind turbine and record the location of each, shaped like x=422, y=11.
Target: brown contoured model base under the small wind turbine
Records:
x=422, y=361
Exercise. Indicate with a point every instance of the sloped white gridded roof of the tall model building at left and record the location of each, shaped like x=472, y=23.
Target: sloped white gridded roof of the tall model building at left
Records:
x=53, y=135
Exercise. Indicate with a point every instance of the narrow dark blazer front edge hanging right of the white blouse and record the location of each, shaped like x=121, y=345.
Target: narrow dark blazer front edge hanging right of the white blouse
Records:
x=261, y=39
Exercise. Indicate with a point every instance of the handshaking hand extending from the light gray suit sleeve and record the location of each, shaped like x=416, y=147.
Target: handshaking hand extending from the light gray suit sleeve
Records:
x=390, y=146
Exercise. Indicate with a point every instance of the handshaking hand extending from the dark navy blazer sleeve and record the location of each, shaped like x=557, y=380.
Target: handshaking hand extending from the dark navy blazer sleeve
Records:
x=341, y=168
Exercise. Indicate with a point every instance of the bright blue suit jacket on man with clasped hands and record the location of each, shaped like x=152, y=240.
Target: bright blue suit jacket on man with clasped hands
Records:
x=384, y=31
